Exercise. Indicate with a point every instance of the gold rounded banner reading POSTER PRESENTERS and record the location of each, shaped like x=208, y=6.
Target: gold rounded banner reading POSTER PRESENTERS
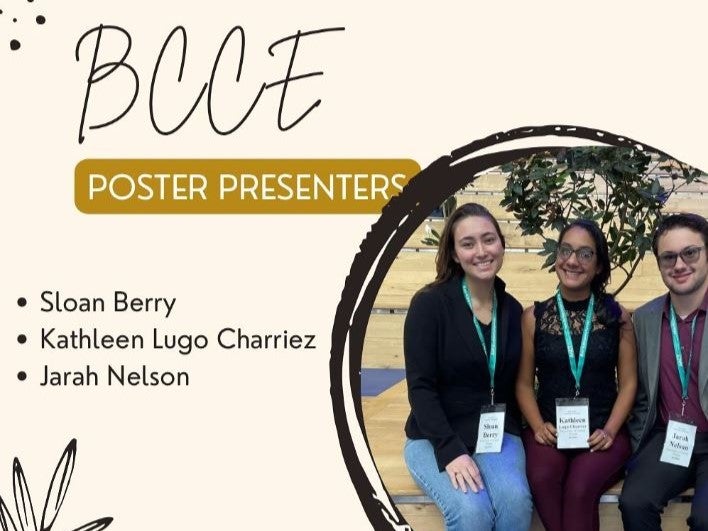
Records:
x=239, y=186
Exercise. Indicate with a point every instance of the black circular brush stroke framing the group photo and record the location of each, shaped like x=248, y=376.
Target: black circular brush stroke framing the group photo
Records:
x=399, y=219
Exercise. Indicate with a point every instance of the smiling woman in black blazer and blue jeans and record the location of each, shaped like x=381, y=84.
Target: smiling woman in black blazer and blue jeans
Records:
x=462, y=344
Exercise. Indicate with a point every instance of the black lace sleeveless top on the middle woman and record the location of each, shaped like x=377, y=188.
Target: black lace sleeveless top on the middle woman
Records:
x=555, y=379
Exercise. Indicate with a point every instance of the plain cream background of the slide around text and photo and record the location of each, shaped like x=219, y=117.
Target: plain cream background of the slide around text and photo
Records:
x=251, y=444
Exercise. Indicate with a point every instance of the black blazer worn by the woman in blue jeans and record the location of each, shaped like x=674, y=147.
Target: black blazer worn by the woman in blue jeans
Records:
x=447, y=372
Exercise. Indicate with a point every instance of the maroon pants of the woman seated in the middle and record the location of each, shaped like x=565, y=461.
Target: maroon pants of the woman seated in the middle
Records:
x=567, y=484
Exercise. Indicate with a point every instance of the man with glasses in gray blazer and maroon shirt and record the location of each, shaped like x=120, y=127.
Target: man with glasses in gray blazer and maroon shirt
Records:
x=669, y=423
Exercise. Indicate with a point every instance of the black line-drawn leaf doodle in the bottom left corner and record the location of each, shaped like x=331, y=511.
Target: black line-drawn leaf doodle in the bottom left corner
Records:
x=56, y=493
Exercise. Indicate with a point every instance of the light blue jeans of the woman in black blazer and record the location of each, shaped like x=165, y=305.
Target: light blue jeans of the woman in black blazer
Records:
x=505, y=503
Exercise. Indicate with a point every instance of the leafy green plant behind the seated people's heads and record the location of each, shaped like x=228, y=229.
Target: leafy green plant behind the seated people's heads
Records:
x=622, y=189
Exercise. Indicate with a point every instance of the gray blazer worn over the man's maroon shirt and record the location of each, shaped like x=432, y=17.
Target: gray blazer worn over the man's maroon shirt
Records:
x=647, y=327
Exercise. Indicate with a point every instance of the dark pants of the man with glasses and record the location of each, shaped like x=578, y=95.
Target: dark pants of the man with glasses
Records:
x=650, y=484
